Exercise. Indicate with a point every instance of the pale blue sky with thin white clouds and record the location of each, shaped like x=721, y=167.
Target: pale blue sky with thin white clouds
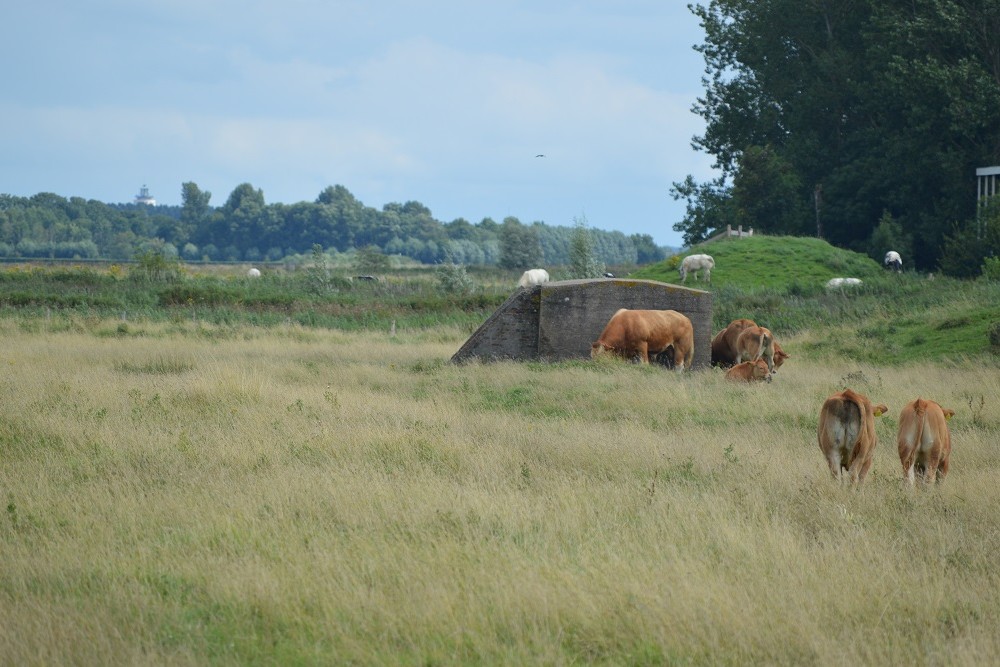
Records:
x=448, y=103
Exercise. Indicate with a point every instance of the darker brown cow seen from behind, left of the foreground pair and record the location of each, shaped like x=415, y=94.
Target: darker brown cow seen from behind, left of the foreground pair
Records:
x=847, y=433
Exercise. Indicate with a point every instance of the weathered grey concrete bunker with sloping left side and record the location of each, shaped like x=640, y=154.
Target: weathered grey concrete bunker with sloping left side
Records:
x=559, y=320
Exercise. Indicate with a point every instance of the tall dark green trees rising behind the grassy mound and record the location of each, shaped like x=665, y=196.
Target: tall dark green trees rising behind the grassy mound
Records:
x=860, y=121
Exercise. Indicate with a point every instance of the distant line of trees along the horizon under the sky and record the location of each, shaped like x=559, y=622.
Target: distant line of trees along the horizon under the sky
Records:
x=246, y=228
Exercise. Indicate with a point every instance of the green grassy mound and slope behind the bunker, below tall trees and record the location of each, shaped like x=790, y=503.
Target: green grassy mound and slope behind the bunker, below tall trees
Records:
x=892, y=318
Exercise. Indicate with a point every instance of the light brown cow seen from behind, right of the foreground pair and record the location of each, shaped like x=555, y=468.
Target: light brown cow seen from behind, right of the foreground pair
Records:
x=924, y=441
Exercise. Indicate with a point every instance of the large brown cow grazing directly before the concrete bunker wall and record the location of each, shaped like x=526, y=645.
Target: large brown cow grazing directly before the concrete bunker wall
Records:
x=641, y=333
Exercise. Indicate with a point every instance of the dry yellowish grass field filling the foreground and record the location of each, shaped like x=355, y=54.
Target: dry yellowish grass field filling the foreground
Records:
x=181, y=494
